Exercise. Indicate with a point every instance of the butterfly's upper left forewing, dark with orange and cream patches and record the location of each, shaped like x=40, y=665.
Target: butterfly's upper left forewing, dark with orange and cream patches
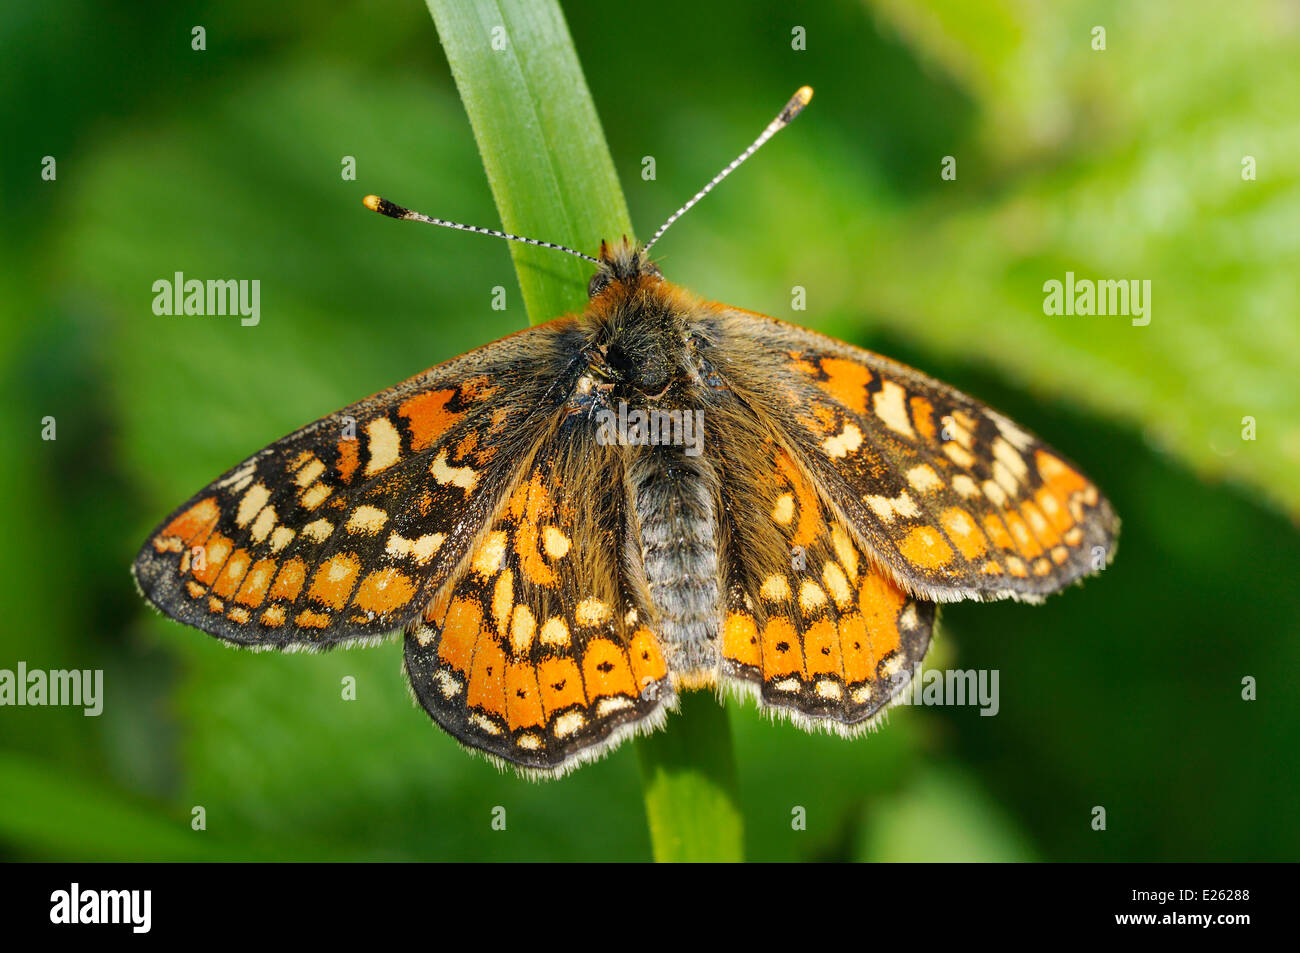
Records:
x=346, y=529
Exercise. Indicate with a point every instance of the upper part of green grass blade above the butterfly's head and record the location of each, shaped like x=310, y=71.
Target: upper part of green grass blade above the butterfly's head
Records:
x=540, y=138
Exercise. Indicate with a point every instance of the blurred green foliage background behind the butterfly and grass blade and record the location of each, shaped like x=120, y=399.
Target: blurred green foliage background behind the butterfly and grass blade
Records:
x=1124, y=163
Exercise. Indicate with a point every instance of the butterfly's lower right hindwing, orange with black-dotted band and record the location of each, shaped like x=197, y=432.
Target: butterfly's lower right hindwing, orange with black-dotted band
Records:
x=812, y=626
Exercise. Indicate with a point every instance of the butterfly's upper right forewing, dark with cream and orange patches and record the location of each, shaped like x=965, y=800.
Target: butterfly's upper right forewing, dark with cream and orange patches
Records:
x=947, y=496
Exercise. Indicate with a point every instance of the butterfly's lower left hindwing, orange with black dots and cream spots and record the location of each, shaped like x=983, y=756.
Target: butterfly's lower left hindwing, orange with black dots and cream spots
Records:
x=538, y=655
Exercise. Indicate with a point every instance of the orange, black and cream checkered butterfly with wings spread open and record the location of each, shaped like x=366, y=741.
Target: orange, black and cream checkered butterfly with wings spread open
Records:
x=577, y=523
